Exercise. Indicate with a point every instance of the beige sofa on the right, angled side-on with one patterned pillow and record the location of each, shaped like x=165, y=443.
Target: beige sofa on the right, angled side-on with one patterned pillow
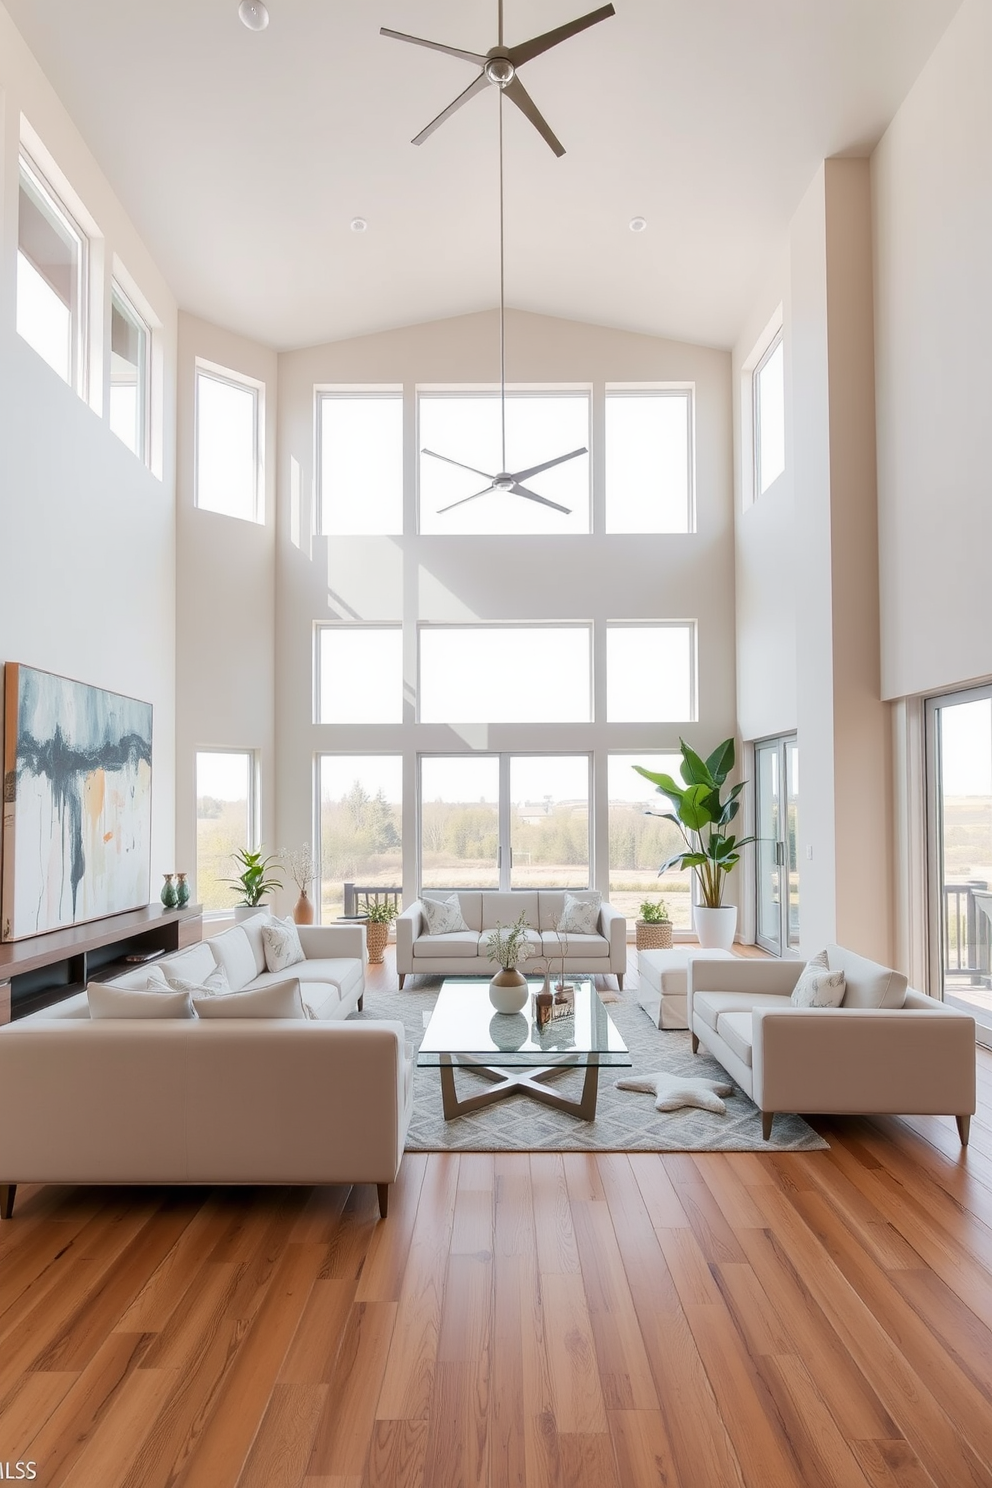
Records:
x=887, y=1050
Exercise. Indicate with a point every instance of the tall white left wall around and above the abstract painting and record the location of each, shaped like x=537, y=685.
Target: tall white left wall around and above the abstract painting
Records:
x=87, y=532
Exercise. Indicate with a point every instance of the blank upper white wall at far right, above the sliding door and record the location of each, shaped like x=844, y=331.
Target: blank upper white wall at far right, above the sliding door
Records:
x=933, y=245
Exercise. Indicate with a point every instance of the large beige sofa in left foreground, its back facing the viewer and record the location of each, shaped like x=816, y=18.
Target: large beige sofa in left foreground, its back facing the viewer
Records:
x=218, y=1102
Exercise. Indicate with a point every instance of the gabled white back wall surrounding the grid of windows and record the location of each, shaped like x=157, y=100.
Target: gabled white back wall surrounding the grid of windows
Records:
x=413, y=578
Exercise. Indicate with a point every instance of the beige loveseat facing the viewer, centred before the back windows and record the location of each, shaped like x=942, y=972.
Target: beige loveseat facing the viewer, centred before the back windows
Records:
x=463, y=953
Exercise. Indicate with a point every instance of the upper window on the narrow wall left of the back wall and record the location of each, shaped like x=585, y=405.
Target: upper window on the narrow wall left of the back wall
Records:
x=228, y=444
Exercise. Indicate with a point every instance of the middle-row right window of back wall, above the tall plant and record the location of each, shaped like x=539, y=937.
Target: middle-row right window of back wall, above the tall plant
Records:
x=651, y=673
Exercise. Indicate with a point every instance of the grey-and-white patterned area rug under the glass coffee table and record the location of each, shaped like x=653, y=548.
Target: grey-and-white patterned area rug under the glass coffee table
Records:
x=625, y=1120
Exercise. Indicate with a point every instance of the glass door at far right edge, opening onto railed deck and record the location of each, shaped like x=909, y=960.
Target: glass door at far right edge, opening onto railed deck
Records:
x=960, y=850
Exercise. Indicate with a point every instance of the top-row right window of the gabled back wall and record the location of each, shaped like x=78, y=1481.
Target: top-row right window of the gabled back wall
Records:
x=649, y=461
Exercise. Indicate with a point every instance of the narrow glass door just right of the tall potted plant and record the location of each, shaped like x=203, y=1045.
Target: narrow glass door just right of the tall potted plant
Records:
x=776, y=856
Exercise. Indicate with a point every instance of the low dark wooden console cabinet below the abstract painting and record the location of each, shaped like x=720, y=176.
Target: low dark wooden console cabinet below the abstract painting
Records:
x=50, y=968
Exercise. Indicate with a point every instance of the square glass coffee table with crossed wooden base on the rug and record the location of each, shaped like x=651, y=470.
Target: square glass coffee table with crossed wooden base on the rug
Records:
x=512, y=1053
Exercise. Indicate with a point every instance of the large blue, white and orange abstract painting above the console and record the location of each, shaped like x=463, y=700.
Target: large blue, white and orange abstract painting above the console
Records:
x=77, y=803
